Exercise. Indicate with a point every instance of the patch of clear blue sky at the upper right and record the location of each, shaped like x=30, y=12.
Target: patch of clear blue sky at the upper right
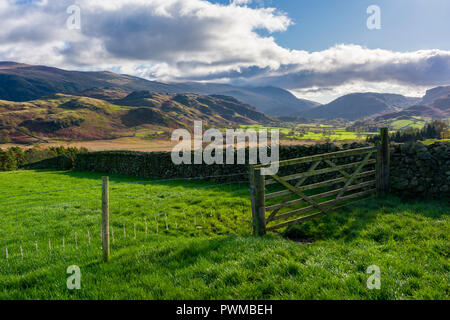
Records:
x=406, y=24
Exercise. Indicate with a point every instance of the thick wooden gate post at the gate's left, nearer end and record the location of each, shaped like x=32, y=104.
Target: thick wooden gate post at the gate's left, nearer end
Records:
x=257, y=184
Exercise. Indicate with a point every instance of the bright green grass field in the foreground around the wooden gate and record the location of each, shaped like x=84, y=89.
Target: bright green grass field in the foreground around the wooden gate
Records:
x=198, y=244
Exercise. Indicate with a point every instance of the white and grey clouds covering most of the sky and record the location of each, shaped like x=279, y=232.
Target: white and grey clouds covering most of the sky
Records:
x=198, y=40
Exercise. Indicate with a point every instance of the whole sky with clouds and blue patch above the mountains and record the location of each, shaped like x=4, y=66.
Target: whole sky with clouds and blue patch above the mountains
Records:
x=319, y=50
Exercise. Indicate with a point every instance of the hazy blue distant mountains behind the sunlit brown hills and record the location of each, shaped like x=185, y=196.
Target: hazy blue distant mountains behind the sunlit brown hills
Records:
x=22, y=82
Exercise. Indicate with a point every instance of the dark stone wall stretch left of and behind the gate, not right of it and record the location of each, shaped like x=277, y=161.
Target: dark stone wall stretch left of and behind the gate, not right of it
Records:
x=159, y=164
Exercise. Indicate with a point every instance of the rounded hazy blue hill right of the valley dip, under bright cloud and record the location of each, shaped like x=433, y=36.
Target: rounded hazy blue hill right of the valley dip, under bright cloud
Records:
x=360, y=105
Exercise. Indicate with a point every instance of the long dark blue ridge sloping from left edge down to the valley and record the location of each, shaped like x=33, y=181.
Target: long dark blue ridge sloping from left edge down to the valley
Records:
x=20, y=82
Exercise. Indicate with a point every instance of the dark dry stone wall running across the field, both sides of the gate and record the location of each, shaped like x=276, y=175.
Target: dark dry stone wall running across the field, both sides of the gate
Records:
x=416, y=170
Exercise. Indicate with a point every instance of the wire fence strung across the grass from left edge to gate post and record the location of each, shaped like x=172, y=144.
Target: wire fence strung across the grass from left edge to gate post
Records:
x=54, y=223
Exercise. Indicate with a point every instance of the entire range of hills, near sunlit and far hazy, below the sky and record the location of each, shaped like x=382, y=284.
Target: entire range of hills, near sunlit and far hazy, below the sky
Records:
x=39, y=102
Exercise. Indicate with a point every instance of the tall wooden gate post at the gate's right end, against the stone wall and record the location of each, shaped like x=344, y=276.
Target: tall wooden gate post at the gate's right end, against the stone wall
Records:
x=383, y=163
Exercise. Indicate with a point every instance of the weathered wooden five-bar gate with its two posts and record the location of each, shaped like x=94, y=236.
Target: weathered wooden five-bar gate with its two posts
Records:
x=319, y=198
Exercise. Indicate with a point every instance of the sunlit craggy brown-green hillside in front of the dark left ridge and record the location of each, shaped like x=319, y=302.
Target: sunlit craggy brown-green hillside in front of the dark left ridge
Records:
x=70, y=117
